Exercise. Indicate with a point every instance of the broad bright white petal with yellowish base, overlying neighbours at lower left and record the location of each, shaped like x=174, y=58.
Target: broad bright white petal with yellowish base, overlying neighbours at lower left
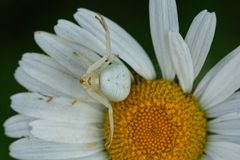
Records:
x=66, y=132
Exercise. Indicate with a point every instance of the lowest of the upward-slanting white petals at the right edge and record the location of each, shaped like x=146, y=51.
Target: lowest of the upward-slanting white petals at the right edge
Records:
x=231, y=104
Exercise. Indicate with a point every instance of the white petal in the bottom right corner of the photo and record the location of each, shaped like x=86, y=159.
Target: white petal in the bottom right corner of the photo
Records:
x=223, y=150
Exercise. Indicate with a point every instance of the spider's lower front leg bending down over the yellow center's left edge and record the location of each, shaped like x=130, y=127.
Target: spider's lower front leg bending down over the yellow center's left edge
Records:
x=103, y=100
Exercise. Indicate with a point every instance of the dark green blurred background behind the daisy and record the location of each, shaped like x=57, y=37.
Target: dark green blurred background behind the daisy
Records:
x=20, y=18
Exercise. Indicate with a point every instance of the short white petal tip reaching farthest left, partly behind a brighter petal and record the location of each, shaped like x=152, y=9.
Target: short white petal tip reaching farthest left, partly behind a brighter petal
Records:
x=17, y=126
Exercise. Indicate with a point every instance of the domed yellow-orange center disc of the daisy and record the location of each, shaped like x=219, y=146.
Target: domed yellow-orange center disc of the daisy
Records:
x=157, y=121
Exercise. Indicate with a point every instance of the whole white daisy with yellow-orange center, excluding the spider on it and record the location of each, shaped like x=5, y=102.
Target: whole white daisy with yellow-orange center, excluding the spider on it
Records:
x=165, y=118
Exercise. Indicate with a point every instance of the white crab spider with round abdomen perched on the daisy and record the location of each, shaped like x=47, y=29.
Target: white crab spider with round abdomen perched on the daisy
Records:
x=107, y=80
